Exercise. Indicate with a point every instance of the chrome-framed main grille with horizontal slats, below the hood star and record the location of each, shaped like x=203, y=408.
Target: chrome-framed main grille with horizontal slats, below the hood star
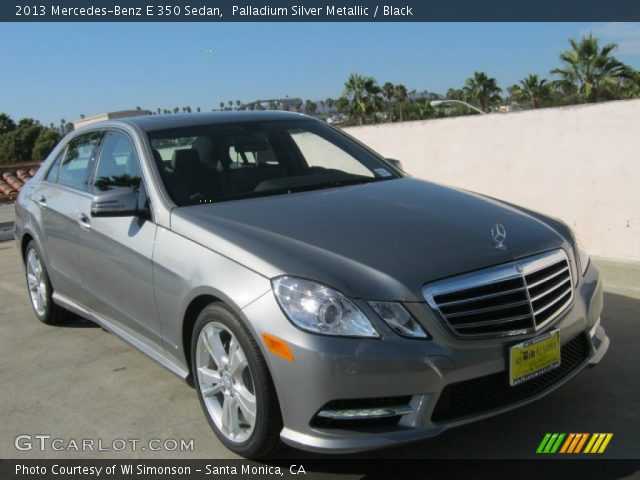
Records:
x=516, y=298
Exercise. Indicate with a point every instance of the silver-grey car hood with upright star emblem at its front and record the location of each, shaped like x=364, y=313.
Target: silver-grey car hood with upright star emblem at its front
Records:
x=381, y=240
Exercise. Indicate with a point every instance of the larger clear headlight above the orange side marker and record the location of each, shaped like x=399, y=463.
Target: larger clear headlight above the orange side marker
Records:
x=319, y=309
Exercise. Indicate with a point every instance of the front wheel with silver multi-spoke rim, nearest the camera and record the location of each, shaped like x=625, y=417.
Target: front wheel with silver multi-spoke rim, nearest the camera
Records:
x=234, y=381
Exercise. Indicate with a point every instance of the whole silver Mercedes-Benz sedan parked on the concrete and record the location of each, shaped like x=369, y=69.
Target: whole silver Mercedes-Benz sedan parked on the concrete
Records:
x=312, y=291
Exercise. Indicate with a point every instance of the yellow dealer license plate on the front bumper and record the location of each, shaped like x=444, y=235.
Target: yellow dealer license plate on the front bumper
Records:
x=534, y=357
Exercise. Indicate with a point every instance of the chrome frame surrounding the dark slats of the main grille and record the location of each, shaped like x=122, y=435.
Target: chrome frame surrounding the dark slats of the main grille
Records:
x=509, y=271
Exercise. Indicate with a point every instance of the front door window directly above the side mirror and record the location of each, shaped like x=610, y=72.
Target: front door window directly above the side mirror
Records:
x=118, y=165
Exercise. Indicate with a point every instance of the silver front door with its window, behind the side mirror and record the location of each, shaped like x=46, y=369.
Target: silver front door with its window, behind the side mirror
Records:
x=116, y=252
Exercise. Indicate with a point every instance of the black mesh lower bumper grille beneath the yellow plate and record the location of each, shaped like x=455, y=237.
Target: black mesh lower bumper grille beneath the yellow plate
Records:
x=483, y=394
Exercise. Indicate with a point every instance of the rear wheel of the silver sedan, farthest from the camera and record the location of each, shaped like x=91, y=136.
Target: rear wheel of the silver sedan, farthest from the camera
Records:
x=39, y=287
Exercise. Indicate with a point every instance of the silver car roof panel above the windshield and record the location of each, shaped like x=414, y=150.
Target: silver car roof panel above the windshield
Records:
x=163, y=122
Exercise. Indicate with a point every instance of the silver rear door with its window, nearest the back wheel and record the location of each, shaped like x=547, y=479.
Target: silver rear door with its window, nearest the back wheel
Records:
x=58, y=198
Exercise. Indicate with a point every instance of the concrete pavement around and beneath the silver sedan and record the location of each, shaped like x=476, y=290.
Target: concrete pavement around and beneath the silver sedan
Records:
x=76, y=381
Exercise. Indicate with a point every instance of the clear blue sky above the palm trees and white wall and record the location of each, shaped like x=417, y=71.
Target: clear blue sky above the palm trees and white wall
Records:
x=53, y=71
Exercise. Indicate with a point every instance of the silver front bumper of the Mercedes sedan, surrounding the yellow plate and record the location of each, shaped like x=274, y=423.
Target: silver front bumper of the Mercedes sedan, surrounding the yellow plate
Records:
x=330, y=369
